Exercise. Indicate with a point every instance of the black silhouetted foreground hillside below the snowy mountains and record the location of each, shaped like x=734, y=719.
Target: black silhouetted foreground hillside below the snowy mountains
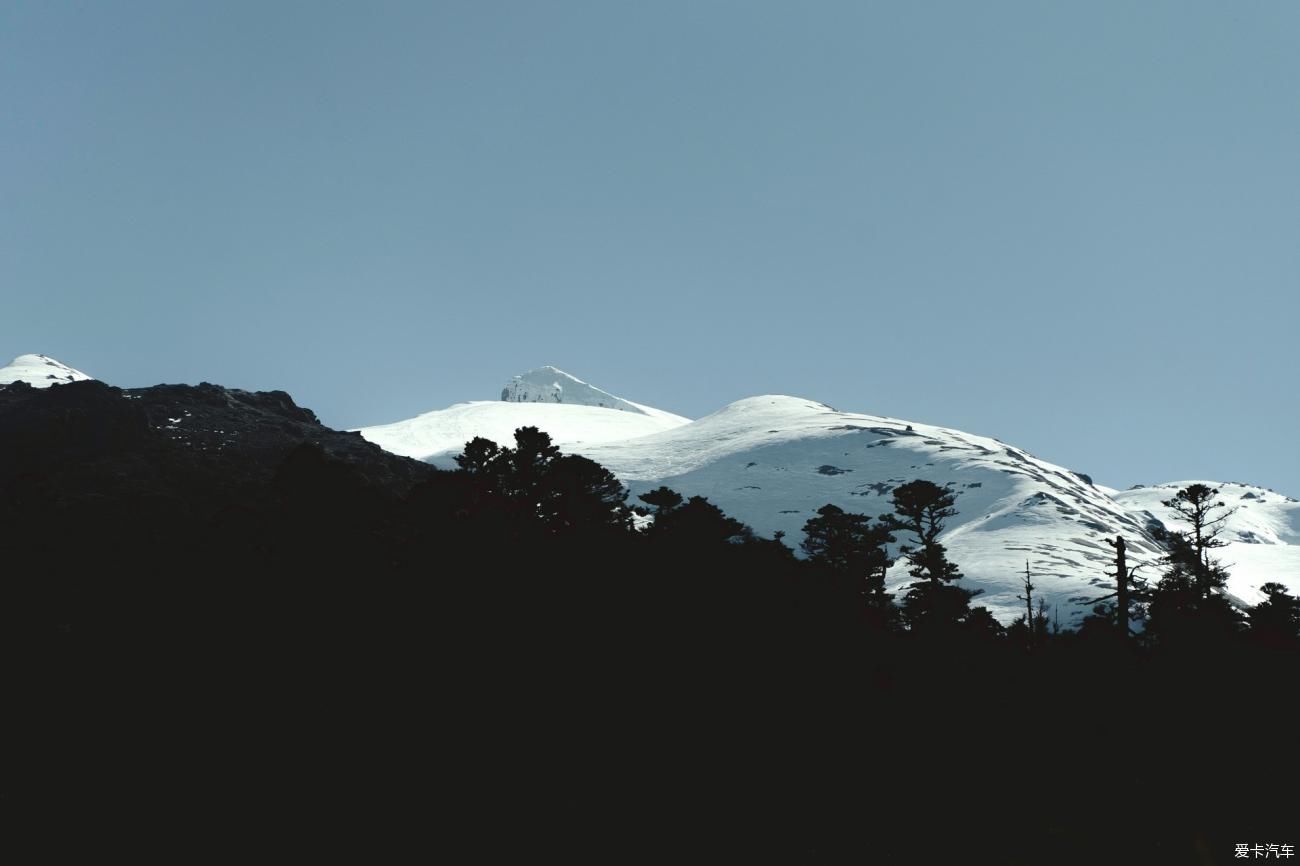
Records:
x=227, y=623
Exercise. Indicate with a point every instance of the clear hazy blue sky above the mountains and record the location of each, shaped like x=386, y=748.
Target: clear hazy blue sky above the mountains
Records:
x=1072, y=227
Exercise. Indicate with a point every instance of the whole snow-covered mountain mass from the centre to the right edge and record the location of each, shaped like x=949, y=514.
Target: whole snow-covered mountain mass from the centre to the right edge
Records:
x=774, y=461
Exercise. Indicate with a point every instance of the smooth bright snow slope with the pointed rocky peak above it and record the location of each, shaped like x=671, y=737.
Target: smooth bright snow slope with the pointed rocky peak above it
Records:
x=575, y=414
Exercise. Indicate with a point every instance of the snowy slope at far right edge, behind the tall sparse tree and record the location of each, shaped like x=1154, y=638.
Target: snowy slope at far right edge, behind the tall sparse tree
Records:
x=1263, y=535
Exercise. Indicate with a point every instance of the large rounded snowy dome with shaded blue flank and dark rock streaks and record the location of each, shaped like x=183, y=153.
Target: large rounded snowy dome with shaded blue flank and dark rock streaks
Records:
x=773, y=461
